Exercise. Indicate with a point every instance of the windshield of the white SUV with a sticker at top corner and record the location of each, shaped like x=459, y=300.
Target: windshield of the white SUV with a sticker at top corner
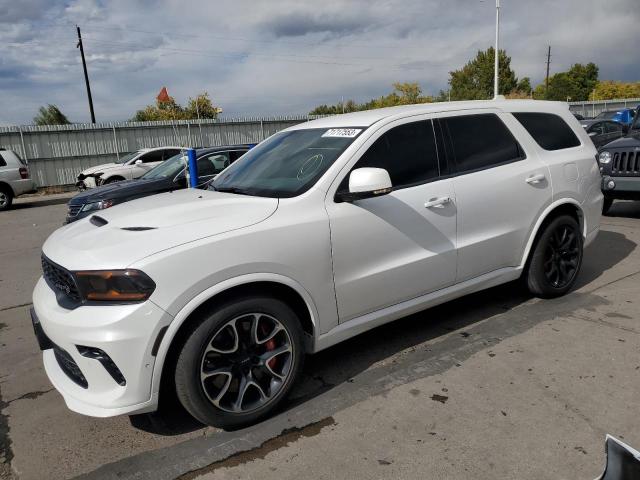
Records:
x=286, y=164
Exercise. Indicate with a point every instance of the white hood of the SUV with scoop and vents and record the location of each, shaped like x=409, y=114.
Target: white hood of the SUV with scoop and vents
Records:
x=173, y=219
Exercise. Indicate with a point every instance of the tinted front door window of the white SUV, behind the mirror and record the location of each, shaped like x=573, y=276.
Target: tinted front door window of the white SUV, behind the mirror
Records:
x=407, y=152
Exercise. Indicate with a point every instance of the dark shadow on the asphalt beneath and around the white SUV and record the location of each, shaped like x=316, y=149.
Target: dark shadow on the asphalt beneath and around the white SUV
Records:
x=341, y=363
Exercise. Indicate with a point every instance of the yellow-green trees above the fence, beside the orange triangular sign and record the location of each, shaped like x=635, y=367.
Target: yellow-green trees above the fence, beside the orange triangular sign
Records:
x=166, y=108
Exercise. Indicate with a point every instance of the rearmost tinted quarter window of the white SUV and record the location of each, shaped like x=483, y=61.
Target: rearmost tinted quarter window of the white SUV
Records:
x=550, y=131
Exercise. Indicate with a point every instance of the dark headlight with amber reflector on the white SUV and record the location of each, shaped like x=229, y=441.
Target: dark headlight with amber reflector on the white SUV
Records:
x=114, y=285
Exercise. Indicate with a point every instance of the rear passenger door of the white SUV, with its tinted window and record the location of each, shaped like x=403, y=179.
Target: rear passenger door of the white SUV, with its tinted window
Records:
x=501, y=188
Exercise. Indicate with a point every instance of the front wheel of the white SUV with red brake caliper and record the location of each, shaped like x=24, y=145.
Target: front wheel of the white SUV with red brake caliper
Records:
x=267, y=378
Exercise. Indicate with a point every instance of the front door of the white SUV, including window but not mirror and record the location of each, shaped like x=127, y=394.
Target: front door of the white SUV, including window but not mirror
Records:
x=399, y=246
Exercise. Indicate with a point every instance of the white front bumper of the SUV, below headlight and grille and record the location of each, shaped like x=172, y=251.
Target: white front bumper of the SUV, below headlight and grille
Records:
x=126, y=333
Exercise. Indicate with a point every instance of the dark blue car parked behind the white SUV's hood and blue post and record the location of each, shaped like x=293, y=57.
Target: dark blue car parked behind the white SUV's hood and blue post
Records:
x=165, y=177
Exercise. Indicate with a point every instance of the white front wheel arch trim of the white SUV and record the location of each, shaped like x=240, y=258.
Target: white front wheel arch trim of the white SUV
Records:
x=279, y=286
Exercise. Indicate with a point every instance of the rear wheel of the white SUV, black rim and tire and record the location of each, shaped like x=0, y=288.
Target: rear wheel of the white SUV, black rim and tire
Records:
x=556, y=258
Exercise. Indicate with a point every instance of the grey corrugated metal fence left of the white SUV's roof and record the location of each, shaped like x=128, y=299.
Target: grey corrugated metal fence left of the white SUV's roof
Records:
x=57, y=153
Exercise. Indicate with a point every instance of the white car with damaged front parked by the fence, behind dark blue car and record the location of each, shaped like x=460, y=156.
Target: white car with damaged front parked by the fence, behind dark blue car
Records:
x=129, y=166
